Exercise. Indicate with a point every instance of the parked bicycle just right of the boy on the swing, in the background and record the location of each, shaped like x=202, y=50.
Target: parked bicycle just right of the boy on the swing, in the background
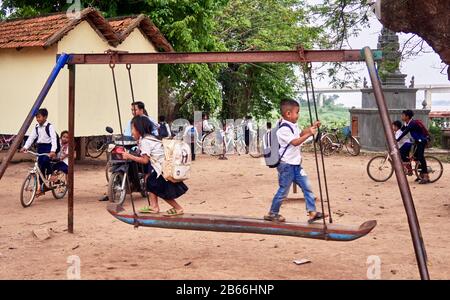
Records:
x=331, y=142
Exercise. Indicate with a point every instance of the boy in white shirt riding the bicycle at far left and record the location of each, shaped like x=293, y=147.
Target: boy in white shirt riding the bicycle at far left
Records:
x=44, y=135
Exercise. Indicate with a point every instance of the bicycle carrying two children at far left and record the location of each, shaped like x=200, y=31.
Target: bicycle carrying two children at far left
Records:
x=35, y=180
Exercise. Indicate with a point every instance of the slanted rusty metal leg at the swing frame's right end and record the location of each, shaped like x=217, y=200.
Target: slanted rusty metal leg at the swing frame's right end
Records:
x=403, y=184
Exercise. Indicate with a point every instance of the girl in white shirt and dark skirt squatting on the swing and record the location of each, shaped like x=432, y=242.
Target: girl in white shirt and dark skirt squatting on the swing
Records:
x=152, y=153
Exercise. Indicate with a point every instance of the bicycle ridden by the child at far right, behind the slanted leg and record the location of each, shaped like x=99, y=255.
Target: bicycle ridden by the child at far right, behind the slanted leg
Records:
x=380, y=167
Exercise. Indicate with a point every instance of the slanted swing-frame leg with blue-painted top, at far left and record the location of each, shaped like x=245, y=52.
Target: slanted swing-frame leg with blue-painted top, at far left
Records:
x=62, y=60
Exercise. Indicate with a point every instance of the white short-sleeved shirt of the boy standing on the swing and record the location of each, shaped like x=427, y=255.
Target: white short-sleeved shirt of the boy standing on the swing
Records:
x=285, y=137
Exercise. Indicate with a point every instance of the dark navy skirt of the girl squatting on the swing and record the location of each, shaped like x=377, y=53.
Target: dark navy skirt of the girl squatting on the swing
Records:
x=164, y=189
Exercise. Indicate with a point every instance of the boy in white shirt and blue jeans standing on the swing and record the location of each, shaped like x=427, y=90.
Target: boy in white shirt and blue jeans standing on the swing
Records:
x=290, y=170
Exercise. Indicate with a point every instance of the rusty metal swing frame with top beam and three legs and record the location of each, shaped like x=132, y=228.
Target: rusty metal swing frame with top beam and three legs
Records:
x=297, y=56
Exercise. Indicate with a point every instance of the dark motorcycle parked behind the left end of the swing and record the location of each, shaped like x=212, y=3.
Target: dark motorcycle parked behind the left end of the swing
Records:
x=126, y=176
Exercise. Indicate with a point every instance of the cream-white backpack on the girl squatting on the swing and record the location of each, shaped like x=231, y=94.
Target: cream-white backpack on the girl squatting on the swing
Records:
x=177, y=160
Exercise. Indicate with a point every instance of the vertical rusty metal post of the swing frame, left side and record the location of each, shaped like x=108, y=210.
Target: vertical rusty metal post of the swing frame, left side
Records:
x=71, y=145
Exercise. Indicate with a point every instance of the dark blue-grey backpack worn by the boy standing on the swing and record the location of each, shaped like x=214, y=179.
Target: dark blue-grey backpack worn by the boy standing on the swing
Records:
x=271, y=146
